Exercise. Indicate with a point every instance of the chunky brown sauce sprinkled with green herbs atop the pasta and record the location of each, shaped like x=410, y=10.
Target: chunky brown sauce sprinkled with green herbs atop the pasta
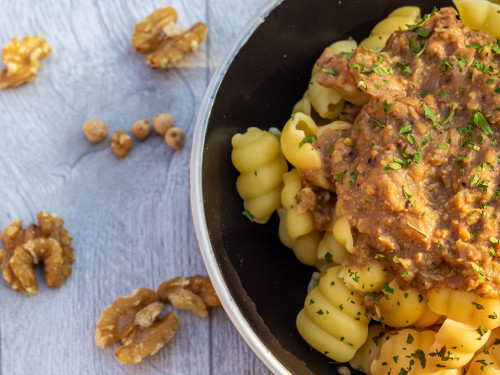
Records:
x=424, y=198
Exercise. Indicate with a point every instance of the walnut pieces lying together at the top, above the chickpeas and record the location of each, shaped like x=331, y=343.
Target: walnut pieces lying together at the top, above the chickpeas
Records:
x=167, y=42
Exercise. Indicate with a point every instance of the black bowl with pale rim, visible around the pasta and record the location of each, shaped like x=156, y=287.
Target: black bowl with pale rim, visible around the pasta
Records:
x=261, y=283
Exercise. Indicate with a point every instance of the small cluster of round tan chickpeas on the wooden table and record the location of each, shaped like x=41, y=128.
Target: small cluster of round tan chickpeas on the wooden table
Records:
x=96, y=131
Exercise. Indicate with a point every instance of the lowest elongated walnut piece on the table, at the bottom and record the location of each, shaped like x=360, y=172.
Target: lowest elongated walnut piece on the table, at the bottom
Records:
x=147, y=341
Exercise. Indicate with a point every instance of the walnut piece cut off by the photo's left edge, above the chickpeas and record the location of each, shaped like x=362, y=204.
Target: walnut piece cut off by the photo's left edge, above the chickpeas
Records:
x=21, y=59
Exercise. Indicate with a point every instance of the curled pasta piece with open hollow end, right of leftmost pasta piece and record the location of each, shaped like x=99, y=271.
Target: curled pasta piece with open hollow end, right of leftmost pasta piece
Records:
x=298, y=134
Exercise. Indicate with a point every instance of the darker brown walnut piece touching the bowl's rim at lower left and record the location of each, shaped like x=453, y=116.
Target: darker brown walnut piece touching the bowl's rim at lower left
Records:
x=194, y=293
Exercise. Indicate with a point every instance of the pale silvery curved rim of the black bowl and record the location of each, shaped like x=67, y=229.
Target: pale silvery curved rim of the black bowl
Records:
x=197, y=208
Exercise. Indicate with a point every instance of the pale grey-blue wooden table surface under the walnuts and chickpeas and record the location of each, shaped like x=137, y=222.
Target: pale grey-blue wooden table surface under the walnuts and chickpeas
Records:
x=130, y=219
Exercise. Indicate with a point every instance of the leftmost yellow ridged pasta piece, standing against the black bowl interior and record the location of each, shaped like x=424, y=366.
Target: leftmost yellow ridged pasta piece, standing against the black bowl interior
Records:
x=256, y=155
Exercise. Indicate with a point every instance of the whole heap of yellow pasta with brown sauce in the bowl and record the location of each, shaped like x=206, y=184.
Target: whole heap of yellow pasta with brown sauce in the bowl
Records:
x=385, y=179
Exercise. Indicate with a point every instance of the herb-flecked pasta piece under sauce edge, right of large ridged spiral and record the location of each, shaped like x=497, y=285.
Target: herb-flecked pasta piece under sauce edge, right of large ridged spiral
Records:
x=403, y=308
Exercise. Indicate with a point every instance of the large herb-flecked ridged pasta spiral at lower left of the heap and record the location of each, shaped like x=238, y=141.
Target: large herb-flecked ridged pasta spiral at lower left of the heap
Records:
x=333, y=321
